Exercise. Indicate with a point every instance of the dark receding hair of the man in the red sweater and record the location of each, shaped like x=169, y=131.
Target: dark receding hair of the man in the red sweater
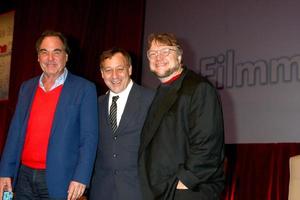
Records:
x=50, y=33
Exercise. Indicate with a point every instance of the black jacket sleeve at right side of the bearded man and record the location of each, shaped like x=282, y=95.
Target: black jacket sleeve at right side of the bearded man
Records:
x=206, y=139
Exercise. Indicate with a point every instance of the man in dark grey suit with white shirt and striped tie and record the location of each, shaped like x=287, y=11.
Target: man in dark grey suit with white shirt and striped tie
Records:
x=115, y=173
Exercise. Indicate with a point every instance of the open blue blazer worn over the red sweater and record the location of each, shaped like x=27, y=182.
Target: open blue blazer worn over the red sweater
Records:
x=73, y=138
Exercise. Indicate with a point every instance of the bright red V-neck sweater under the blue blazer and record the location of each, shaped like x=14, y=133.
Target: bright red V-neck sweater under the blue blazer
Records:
x=39, y=127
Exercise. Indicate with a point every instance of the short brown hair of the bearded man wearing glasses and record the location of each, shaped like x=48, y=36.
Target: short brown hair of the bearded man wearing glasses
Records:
x=164, y=38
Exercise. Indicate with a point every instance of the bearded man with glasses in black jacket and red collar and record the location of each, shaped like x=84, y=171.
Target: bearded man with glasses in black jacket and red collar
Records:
x=182, y=147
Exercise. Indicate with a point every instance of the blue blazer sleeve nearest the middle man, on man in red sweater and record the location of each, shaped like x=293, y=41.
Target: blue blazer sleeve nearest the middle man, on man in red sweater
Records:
x=88, y=136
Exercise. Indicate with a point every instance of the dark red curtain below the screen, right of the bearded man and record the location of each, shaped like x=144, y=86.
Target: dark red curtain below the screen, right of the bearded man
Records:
x=258, y=171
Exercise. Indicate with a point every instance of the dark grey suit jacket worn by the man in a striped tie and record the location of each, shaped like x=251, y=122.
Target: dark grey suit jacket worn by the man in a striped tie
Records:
x=115, y=173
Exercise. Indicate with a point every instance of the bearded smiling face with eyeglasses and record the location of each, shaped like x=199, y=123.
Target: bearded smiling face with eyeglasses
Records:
x=164, y=61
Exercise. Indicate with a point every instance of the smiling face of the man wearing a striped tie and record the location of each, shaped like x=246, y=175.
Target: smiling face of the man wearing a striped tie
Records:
x=116, y=73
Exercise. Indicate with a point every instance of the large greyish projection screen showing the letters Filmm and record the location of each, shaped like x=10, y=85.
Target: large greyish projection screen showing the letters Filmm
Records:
x=250, y=50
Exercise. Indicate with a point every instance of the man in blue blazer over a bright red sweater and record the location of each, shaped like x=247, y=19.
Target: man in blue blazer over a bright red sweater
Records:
x=52, y=140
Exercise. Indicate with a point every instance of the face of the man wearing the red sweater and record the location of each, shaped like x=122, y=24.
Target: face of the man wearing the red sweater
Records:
x=52, y=56
